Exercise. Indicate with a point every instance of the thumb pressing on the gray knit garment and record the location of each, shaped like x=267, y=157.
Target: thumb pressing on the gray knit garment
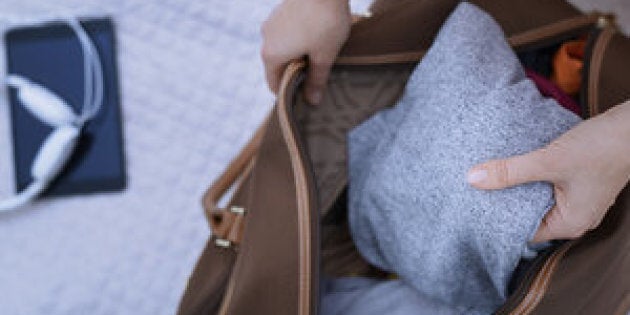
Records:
x=503, y=173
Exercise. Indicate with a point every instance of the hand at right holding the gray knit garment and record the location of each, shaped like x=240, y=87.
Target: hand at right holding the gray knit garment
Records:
x=588, y=166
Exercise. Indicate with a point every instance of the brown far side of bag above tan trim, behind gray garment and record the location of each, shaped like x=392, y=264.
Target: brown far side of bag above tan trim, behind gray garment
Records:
x=387, y=30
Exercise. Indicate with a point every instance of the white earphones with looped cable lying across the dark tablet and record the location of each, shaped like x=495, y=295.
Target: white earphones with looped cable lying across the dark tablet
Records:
x=51, y=109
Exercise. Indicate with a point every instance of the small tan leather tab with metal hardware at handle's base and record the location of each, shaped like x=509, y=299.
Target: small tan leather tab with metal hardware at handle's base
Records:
x=227, y=226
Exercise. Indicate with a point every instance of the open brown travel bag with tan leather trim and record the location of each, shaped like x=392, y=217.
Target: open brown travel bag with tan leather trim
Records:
x=285, y=224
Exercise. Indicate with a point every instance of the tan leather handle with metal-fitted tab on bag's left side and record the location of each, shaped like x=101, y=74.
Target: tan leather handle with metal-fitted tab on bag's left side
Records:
x=226, y=224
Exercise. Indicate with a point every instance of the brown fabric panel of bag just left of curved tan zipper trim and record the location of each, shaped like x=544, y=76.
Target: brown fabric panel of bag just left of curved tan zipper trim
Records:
x=265, y=274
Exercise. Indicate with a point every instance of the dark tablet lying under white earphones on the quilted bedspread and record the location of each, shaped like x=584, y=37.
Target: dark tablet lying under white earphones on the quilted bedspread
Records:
x=51, y=55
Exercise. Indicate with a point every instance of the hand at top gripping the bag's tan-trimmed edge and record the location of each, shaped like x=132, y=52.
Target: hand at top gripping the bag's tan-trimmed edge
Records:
x=297, y=28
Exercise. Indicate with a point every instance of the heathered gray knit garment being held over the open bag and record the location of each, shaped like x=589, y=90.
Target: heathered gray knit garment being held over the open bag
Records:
x=411, y=210
